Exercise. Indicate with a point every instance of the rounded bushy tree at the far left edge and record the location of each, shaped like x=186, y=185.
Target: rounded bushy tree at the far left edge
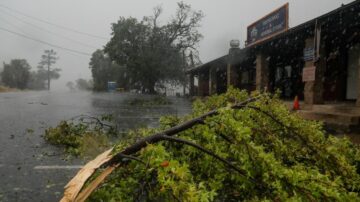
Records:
x=16, y=74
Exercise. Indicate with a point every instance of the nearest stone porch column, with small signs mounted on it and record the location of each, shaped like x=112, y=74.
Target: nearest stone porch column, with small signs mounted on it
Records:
x=313, y=90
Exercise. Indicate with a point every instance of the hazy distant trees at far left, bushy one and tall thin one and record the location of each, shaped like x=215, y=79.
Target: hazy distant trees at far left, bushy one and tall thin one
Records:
x=18, y=74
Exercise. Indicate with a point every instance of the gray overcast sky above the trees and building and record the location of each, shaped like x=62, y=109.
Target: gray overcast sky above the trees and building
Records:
x=224, y=20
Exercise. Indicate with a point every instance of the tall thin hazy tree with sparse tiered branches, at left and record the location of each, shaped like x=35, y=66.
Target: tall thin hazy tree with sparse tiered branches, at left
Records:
x=47, y=59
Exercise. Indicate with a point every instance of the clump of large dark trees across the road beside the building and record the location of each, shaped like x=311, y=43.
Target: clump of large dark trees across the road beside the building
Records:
x=146, y=54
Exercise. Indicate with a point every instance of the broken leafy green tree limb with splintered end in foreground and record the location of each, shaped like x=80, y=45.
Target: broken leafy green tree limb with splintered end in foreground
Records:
x=231, y=148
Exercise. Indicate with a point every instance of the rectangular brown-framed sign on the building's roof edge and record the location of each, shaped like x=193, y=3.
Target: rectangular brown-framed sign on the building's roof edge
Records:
x=268, y=26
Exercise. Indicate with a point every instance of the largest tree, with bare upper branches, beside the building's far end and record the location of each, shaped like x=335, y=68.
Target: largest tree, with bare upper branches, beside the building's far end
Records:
x=153, y=53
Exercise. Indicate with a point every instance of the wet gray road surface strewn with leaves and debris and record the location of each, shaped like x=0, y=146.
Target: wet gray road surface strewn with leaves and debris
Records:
x=32, y=170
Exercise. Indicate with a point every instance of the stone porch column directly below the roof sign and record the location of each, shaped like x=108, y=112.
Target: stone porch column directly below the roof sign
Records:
x=262, y=72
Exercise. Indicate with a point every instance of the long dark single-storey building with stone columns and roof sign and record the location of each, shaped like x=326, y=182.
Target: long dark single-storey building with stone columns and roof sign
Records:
x=318, y=61
